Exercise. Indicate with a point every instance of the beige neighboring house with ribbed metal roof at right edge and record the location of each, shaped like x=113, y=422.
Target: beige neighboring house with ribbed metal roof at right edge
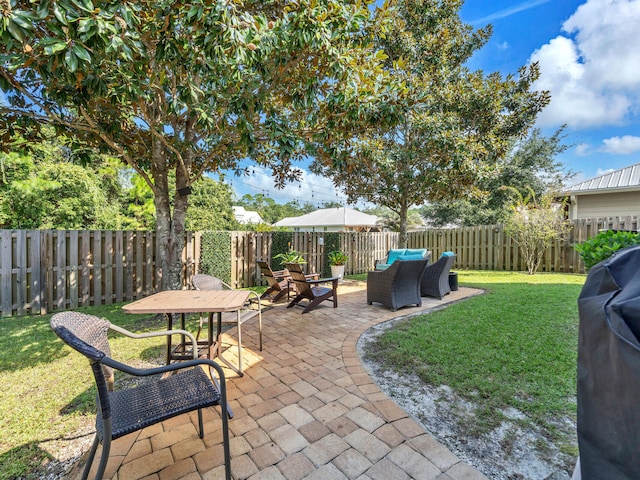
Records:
x=615, y=194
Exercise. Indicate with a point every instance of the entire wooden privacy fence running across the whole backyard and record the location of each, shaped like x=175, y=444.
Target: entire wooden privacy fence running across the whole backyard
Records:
x=43, y=271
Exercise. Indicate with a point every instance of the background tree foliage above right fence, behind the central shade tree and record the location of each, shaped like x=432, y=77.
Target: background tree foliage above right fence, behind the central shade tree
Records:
x=530, y=166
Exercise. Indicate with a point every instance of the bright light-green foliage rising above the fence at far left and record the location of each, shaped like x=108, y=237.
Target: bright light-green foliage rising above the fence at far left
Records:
x=43, y=187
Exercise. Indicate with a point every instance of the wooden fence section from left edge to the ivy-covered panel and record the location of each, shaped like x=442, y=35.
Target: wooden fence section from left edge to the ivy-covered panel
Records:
x=46, y=270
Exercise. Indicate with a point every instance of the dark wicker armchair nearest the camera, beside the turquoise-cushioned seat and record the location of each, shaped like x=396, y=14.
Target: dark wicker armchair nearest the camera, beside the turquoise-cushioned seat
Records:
x=398, y=285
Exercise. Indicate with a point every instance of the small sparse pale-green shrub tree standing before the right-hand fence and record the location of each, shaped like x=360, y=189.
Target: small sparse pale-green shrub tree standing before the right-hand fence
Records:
x=535, y=224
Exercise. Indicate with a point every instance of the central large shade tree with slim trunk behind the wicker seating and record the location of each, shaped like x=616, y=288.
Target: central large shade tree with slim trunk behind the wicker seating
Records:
x=458, y=124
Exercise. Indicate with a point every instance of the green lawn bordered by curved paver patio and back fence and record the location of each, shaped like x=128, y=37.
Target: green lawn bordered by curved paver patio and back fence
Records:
x=515, y=346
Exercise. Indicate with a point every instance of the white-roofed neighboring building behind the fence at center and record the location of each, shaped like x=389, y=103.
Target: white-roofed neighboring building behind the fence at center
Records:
x=339, y=219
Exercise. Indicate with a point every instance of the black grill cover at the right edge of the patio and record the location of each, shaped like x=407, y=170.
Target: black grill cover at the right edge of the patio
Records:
x=609, y=369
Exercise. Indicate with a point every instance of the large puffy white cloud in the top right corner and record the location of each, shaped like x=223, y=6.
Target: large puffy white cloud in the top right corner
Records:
x=593, y=73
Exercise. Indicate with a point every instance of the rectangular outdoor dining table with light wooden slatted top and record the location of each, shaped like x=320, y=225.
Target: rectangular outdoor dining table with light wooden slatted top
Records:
x=173, y=302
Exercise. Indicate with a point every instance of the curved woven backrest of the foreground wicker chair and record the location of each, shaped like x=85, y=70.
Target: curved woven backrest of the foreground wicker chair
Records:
x=87, y=335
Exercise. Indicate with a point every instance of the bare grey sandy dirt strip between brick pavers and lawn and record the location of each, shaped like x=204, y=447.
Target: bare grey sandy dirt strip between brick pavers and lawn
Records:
x=508, y=452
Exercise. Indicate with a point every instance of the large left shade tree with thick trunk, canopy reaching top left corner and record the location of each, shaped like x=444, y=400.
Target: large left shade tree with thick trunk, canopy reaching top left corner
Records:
x=190, y=87
